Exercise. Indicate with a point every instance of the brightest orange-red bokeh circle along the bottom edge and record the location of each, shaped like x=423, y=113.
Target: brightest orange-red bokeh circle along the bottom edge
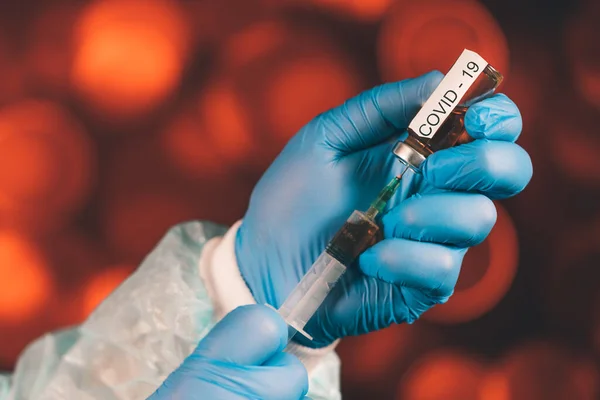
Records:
x=443, y=374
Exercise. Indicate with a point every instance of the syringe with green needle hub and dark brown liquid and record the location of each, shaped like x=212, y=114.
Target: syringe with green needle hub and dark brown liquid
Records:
x=358, y=233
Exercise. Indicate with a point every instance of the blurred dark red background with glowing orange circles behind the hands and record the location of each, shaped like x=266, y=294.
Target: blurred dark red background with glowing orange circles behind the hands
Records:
x=120, y=118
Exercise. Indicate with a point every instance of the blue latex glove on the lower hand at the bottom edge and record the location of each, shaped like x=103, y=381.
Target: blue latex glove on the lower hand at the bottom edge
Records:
x=240, y=358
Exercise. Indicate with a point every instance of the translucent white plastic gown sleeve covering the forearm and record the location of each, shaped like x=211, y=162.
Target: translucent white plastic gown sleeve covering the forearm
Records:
x=144, y=330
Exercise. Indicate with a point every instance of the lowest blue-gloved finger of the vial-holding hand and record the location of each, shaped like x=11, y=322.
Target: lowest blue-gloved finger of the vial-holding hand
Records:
x=420, y=265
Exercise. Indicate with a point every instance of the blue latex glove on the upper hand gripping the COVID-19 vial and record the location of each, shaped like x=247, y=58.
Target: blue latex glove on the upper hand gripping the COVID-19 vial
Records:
x=338, y=163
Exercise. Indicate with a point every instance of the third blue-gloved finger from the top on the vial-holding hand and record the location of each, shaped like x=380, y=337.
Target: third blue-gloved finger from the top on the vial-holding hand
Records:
x=458, y=219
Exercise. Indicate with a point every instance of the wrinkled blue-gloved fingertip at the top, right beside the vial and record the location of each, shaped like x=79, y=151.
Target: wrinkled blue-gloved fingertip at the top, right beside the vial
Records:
x=495, y=118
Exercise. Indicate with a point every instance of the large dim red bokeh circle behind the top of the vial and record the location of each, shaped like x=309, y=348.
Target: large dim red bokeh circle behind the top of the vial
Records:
x=417, y=37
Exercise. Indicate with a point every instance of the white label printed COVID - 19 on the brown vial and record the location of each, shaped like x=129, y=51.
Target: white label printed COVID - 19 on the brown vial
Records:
x=448, y=94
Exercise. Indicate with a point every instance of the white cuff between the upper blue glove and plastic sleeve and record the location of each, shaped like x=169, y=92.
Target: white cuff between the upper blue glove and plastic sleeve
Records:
x=228, y=290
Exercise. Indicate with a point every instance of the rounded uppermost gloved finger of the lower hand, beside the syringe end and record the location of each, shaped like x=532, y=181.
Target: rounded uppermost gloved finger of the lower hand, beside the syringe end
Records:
x=249, y=335
